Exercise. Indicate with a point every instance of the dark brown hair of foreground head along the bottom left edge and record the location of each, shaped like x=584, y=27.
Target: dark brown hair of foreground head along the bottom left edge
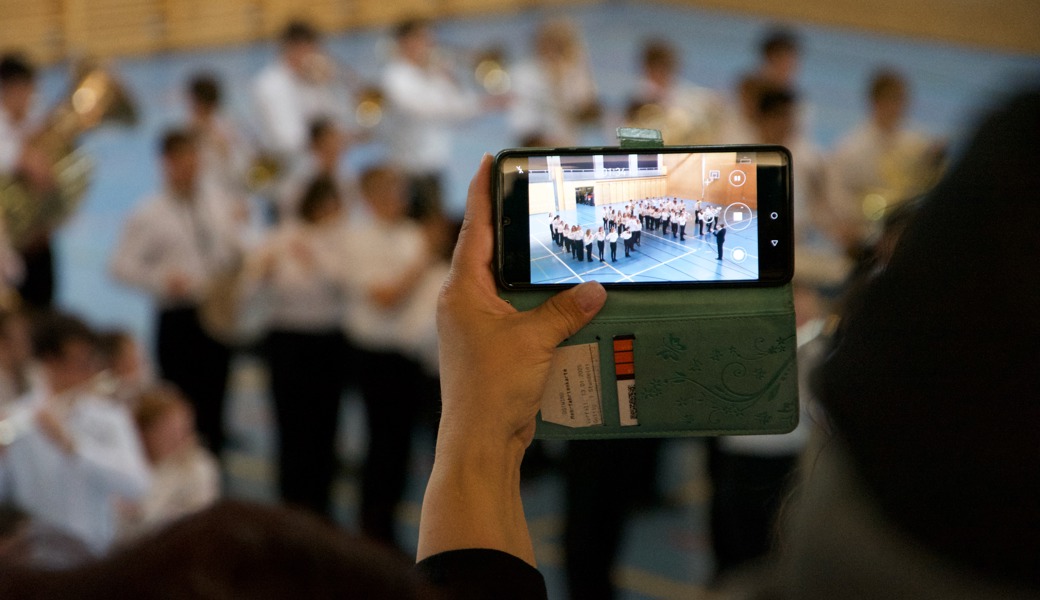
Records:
x=233, y=551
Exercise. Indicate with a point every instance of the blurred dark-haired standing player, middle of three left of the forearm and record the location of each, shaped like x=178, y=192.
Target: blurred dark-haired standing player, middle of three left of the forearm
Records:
x=306, y=350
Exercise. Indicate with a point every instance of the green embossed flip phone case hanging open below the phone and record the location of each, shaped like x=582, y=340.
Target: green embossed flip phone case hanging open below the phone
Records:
x=690, y=362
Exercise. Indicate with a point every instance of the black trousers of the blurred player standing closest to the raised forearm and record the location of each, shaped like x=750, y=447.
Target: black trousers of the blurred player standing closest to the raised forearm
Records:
x=396, y=392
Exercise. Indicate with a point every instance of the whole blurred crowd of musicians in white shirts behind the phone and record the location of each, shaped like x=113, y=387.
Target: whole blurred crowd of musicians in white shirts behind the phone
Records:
x=262, y=241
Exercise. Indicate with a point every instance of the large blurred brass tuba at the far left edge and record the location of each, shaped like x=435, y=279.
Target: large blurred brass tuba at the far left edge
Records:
x=96, y=97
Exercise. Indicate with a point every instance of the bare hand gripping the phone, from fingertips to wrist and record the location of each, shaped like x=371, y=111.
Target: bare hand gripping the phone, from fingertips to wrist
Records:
x=496, y=360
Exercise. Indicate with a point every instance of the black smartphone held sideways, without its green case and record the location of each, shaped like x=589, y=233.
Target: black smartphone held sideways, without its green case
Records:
x=672, y=217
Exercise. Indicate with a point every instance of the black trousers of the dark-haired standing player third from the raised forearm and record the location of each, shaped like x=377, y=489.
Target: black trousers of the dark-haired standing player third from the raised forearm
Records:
x=198, y=364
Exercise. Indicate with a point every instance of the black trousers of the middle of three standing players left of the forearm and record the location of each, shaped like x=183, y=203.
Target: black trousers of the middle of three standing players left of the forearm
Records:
x=307, y=378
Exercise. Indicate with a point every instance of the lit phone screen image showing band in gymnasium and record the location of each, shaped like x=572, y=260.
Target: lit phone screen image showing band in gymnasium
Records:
x=661, y=218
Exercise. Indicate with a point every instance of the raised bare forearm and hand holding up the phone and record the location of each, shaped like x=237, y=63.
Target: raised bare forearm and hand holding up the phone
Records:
x=495, y=363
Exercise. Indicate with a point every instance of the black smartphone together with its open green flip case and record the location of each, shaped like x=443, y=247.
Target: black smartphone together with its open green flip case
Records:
x=697, y=336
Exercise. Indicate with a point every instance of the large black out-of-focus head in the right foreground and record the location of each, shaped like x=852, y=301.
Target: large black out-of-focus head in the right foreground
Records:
x=931, y=380
